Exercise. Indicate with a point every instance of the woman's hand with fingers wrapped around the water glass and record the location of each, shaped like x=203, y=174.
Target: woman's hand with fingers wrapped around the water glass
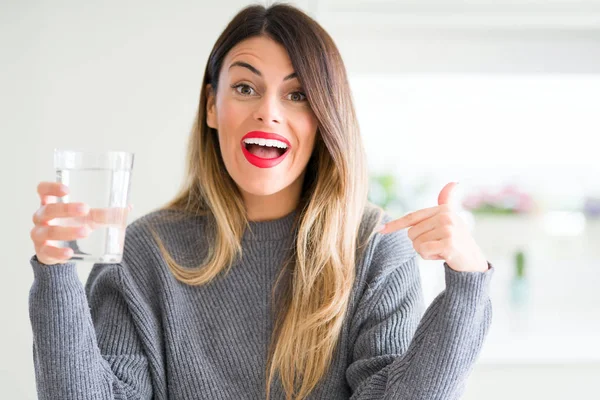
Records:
x=42, y=232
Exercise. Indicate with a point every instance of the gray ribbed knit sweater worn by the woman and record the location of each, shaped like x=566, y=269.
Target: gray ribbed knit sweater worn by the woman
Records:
x=135, y=332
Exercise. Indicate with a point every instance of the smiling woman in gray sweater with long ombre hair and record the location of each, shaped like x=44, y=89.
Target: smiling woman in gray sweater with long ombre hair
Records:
x=266, y=276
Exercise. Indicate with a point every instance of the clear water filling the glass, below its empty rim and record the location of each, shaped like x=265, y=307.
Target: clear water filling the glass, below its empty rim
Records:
x=103, y=190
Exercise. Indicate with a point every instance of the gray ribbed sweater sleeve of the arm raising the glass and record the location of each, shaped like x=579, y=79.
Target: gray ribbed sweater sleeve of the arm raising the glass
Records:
x=85, y=346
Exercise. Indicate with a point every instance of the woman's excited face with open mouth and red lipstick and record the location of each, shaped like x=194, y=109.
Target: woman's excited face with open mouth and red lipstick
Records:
x=259, y=93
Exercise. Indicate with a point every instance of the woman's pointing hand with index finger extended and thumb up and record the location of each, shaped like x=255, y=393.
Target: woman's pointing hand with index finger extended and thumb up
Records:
x=438, y=233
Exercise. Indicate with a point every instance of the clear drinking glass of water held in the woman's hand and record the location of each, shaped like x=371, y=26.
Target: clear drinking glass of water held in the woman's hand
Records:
x=102, y=180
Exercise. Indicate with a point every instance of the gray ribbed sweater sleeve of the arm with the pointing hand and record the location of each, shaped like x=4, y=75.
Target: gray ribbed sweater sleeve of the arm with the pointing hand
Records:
x=400, y=353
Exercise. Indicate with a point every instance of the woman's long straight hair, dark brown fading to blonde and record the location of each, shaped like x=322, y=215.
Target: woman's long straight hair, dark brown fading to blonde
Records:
x=321, y=269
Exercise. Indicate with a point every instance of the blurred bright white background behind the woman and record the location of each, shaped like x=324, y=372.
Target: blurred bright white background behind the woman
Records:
x=500, y=95
